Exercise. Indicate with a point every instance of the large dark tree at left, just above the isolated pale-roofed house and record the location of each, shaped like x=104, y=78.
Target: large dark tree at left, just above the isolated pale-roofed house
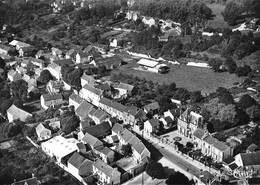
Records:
x=19, y=89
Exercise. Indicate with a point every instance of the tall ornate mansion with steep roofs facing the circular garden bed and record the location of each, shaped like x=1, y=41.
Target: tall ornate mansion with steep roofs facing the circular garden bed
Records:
x=188, y=122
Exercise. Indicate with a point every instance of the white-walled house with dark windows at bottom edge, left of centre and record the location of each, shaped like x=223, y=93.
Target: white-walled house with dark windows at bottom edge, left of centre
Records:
x=106, y=173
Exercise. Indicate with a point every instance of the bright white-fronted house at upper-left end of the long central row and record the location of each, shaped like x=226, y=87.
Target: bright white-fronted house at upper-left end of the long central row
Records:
x=91, y=94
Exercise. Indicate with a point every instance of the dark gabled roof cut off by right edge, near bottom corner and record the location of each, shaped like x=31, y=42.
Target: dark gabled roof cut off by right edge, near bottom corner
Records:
x=249, y=159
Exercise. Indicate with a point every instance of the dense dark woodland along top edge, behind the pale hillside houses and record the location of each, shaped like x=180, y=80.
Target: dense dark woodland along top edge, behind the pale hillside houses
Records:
x=179, y=11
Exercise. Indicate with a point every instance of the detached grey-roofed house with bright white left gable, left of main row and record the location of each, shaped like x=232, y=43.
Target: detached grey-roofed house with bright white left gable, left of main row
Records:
x=48, y=100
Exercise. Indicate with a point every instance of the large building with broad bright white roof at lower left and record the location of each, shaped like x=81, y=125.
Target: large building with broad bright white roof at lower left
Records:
x=60, y=147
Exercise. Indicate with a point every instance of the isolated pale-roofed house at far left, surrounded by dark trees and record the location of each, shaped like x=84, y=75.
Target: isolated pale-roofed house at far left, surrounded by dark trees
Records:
x=14, y=113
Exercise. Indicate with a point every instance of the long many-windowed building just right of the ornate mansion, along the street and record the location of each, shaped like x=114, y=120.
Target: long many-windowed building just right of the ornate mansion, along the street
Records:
x=211, y=146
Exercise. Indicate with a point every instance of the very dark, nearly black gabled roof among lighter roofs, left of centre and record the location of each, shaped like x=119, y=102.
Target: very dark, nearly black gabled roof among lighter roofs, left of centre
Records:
x=100, y=130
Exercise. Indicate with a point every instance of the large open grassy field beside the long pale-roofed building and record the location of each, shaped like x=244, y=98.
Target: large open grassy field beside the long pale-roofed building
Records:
x=191, y=78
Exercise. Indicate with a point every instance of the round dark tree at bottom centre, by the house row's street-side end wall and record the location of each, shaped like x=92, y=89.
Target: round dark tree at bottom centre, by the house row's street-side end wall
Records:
x=155, y=169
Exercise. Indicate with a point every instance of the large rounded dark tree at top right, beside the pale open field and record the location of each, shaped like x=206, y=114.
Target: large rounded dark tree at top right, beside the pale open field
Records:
x=231, y=12
